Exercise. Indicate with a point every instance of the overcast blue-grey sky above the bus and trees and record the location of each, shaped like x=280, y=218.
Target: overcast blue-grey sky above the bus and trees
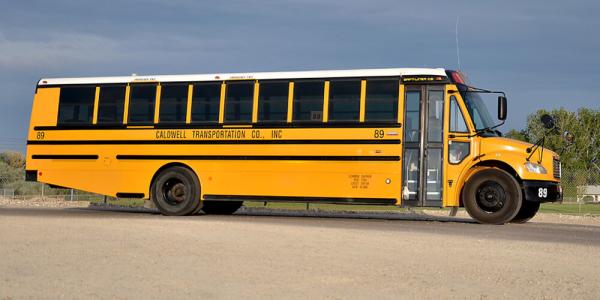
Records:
x=544, y=54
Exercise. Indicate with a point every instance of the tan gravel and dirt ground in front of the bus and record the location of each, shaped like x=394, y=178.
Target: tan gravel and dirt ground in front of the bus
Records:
x=83, y=253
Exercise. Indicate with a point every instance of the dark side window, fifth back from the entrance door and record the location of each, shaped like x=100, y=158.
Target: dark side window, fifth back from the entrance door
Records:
x=238, y=102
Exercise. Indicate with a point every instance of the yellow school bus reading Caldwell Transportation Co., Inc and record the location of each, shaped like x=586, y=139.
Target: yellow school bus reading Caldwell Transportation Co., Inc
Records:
x=399, y=136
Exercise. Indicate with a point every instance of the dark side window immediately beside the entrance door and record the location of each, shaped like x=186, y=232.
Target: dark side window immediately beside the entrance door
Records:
x=381, y=103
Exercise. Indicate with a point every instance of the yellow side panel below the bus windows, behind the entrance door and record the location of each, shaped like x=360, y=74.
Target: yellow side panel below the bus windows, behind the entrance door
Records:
x=283, y=175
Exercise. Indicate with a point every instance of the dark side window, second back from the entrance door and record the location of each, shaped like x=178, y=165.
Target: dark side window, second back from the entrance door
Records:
x=344, y=100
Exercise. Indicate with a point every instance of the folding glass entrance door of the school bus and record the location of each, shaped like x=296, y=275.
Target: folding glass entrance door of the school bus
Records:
x=422, y=172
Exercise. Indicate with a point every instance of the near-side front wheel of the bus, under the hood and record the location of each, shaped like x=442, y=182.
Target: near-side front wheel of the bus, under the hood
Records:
x=492, y=196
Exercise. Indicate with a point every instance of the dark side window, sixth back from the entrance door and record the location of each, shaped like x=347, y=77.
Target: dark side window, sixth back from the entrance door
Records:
x=205, y=102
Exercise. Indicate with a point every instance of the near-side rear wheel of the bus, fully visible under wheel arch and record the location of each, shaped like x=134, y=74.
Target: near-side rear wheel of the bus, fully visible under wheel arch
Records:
x=176, y=191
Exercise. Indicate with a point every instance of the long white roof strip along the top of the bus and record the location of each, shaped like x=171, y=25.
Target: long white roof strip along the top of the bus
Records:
x=249, y=76
